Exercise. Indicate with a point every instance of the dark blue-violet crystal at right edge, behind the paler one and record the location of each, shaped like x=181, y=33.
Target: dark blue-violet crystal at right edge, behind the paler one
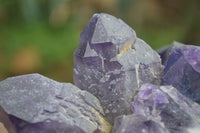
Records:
x=182, y=70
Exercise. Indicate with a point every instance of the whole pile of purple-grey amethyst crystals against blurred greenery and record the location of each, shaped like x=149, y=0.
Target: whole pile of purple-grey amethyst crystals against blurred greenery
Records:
x=124, y=85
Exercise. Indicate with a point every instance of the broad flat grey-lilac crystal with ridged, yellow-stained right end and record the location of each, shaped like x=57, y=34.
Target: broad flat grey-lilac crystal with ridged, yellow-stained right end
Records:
x=38, y=104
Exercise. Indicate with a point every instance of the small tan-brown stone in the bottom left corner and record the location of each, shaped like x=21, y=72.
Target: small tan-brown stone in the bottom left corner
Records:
x=5, y=125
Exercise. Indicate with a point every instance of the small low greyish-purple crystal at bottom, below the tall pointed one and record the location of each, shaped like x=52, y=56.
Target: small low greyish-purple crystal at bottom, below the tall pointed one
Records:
x=136, y=124
